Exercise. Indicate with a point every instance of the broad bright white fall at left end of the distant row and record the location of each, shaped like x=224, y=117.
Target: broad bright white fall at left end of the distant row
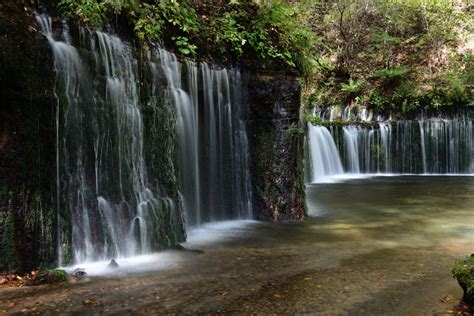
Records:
x=324, y=156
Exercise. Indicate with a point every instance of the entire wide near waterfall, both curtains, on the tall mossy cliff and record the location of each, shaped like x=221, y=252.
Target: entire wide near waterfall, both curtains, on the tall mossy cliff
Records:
x=117, y=126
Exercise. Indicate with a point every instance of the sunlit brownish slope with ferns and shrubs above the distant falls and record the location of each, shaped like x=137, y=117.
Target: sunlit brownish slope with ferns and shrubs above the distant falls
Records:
x=406, y=55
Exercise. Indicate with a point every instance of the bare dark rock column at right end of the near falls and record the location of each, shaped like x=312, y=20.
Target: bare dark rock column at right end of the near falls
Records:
x=272, y=103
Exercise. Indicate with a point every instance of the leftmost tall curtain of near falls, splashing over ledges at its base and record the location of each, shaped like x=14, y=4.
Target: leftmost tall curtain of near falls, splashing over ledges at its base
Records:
x=102, y=175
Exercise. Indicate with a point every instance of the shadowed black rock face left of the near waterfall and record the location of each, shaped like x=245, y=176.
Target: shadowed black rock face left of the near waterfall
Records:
x=27, y=141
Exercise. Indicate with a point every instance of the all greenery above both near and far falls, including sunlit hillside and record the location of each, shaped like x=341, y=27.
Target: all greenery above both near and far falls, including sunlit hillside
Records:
x=399, y=55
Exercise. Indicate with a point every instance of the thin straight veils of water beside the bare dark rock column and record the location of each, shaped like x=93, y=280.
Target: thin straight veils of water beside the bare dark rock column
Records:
x=214, y=176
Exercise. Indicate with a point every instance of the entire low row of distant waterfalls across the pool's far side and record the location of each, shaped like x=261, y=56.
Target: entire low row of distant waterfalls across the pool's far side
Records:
x=425, y=146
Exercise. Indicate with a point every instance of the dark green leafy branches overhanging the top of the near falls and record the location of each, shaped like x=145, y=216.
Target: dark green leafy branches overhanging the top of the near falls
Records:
x=274, y=32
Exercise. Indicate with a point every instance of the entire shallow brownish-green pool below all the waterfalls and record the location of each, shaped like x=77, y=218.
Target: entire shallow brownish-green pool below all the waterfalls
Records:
x=382, y=245
